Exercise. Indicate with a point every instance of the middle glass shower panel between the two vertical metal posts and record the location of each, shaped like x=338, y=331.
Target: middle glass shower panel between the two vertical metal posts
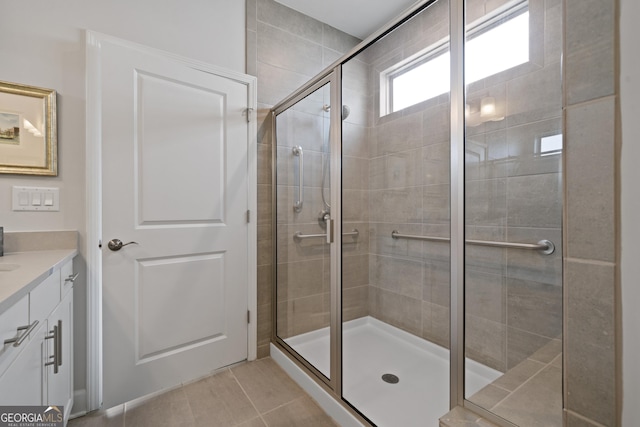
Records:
x=395, y=202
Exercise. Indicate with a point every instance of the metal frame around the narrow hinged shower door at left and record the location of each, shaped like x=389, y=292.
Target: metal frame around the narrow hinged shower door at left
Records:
x=331, y=76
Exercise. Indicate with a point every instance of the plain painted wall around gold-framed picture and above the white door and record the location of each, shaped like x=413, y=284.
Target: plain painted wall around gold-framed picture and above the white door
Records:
x=42, y=44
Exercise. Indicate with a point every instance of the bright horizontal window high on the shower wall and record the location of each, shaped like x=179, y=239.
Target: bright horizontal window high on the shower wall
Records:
x=494, y=45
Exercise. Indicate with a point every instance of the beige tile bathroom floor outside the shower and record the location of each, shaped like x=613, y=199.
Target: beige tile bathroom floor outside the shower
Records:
x=254, y=394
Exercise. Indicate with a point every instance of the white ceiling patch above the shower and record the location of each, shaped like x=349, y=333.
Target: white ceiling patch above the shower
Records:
x=360, y=18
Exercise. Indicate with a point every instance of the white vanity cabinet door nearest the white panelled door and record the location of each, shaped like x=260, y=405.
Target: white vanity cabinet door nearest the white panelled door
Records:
x=60, y=384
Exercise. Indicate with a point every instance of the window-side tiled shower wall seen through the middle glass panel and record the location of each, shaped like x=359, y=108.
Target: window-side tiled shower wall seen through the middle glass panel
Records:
x=408, y=190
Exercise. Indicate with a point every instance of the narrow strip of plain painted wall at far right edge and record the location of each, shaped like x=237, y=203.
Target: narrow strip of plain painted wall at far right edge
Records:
x=630, y=103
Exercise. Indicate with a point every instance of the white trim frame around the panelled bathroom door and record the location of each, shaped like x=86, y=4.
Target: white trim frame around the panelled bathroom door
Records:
x=93, y=43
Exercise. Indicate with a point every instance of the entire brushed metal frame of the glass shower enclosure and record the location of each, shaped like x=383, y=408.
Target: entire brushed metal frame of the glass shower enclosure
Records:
x=333, y=74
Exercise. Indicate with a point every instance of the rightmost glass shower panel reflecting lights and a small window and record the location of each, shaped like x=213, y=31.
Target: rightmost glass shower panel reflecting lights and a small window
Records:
x=513, y=193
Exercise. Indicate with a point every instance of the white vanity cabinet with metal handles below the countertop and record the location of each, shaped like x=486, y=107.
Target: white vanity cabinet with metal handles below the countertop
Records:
x=39, y=371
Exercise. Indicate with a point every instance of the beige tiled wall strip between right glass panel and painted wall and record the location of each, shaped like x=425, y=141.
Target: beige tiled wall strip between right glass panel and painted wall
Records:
x=591, y=215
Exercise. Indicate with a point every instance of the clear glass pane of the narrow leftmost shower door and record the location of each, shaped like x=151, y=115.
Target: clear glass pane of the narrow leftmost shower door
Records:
x=302, y=197
